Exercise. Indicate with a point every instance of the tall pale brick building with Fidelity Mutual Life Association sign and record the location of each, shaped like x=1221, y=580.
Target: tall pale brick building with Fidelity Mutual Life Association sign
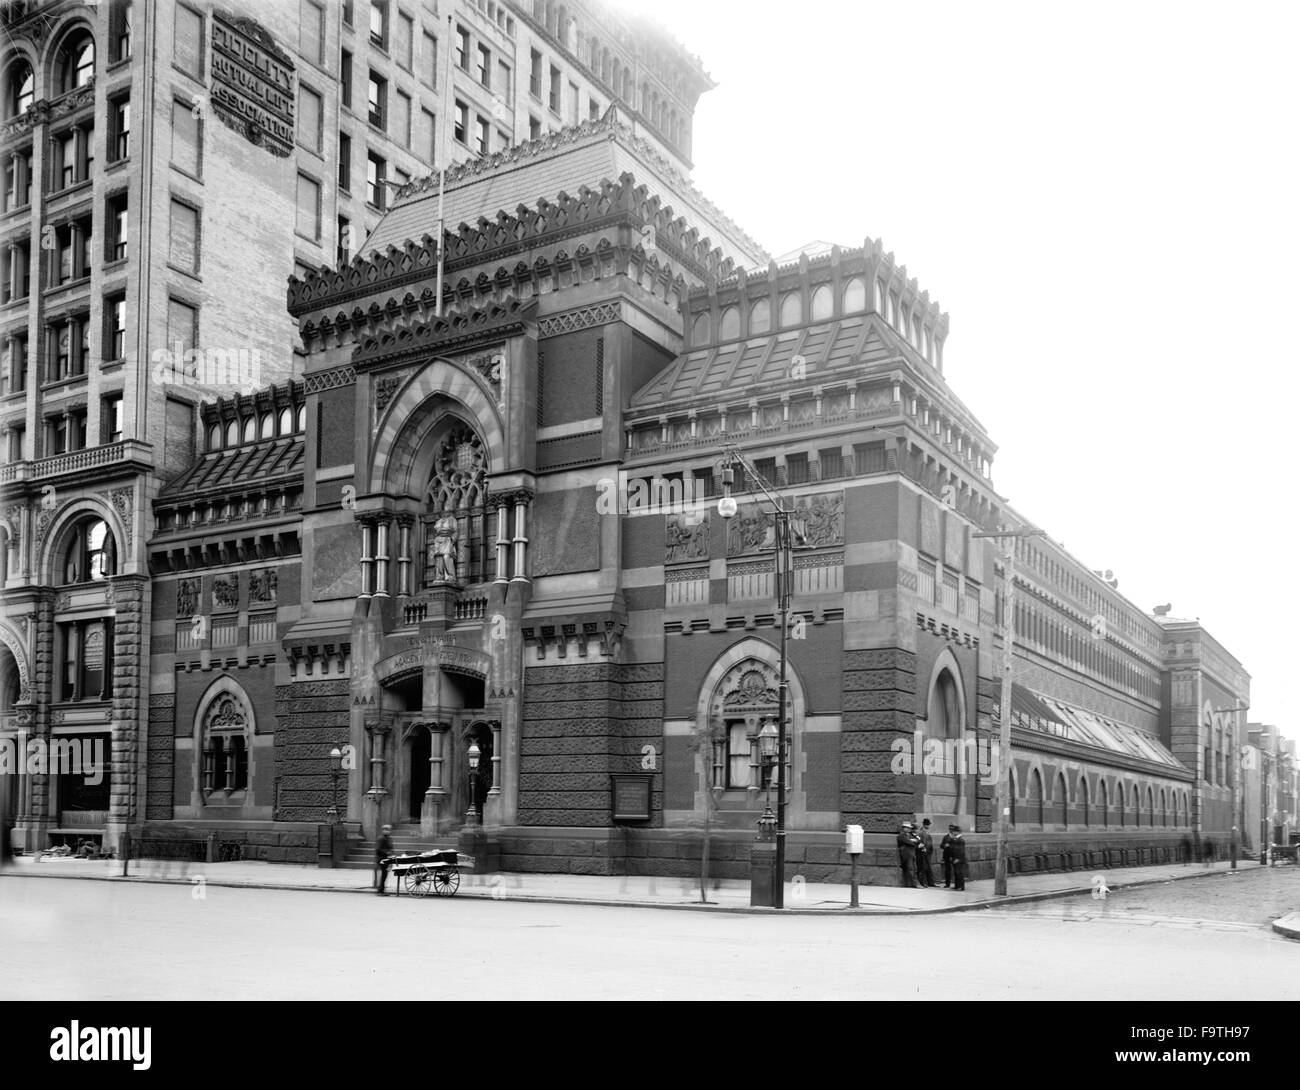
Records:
x=167, y=167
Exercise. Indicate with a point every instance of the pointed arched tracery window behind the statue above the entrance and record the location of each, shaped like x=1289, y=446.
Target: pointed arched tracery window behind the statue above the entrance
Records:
x=460, y=530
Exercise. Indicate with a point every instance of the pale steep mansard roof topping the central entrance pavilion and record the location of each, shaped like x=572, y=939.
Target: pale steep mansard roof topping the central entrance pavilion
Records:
x=567, y=159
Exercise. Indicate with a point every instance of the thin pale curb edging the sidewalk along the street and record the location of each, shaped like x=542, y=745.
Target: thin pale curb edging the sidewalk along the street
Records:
x=1292, y=928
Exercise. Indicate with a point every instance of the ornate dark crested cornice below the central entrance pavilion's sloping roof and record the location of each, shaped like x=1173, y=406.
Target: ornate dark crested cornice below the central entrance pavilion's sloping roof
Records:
x=610, y=204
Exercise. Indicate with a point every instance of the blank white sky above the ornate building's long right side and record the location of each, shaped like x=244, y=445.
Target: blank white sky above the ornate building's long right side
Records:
x=1104, y=198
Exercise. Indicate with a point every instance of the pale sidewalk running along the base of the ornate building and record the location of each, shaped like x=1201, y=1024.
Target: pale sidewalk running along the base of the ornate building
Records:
x=640, y=892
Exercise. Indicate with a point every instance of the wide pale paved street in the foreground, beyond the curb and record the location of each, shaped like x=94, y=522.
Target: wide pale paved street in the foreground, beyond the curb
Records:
x=63, y=940
